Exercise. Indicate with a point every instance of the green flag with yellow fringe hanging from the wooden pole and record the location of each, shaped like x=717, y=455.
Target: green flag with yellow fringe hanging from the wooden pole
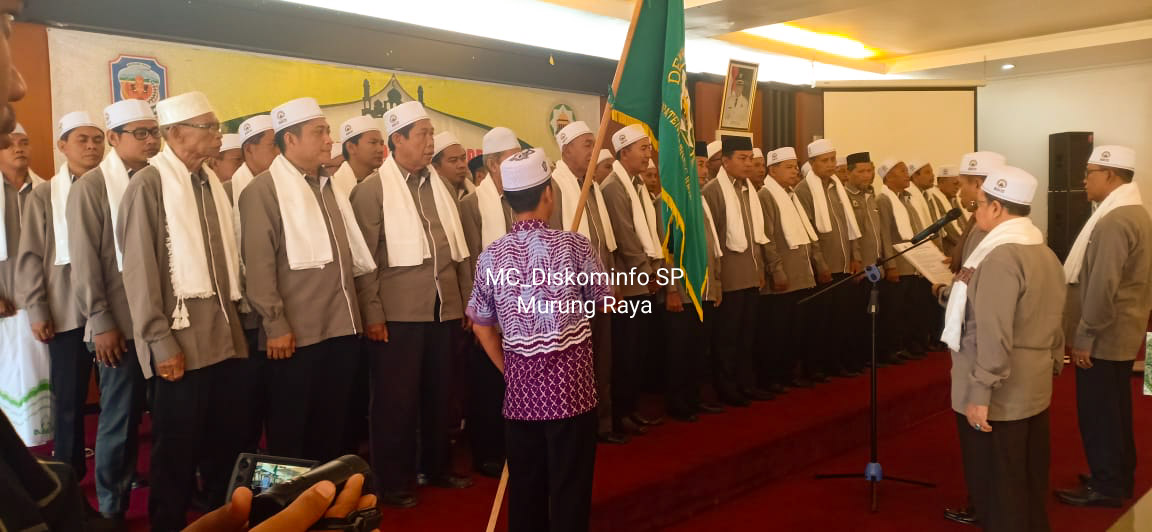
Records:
x=653, y=93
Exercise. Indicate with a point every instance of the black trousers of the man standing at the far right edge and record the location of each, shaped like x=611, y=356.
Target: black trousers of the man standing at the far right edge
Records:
x=1104, y=405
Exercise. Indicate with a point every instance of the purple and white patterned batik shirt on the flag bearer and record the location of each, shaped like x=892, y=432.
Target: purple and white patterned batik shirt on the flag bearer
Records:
x=548, y=340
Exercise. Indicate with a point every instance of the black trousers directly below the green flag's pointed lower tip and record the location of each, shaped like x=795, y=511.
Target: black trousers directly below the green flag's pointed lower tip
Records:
x=686, y=345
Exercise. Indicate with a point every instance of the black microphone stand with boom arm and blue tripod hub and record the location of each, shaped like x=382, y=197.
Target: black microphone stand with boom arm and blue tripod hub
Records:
x=873, y=473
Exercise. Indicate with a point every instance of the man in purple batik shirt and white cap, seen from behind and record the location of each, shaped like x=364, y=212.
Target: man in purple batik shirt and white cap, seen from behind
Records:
x=550, y=411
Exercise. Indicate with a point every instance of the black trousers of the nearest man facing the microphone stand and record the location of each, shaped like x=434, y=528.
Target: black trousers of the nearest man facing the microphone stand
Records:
x=1007, y=473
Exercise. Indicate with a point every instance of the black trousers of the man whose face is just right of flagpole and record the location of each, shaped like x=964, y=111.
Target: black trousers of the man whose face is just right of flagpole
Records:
x=630, y=345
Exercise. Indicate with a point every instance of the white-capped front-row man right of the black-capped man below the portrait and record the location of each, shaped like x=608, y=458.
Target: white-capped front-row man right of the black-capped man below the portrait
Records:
x=792, y=260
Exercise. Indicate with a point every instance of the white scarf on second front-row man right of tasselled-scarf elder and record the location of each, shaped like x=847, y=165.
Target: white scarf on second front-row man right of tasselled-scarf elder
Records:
x=407, y=244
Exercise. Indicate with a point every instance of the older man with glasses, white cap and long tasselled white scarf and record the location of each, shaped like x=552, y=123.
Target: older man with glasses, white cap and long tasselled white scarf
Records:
x=181, y=270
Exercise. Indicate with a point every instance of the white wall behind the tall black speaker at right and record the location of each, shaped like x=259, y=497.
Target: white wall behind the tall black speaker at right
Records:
x=1017, y=116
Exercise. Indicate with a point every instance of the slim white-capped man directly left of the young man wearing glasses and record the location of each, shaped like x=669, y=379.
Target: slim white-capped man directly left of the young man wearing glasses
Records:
x=44, y=286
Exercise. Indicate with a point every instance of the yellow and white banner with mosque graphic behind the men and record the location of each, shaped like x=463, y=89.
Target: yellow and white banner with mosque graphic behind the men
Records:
x=92, y=71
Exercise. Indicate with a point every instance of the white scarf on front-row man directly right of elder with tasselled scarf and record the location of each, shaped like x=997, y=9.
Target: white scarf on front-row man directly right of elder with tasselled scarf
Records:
x=306, y=234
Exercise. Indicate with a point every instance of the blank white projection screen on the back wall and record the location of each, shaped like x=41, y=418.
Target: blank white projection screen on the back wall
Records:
x=937, y=126
